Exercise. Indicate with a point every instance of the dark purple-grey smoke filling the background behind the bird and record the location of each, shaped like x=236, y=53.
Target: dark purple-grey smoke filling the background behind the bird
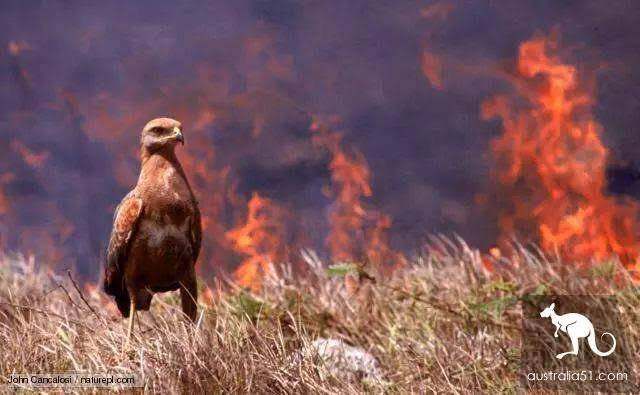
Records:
x=246, y=77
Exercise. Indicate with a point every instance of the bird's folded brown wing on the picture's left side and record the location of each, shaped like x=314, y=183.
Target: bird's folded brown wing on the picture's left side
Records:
x=125, y=220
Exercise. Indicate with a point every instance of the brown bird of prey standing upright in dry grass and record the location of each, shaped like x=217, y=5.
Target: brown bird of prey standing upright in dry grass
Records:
x=156, y=233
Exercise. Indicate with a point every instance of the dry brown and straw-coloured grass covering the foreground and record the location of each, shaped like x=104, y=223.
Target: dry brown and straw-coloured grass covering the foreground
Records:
x=440, y=323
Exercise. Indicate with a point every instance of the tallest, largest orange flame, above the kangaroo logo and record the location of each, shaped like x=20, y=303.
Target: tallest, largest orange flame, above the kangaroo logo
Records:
x=551, y=163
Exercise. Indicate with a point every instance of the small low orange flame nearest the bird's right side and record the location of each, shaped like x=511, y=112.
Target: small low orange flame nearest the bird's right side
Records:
x=260, y=239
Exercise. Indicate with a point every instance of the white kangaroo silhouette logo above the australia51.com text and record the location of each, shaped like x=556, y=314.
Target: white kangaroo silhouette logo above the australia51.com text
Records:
x=576, y=326
